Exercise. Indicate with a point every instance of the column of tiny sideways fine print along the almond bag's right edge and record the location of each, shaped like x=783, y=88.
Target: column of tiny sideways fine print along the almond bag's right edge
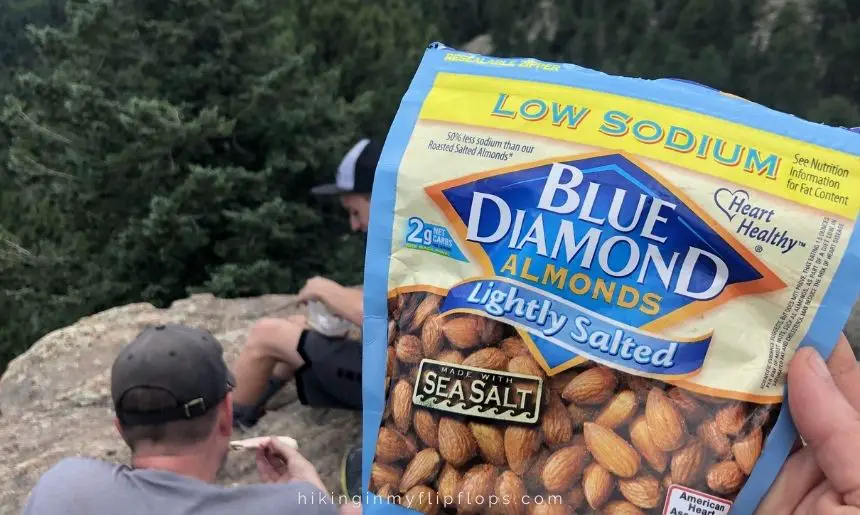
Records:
x=820, y=260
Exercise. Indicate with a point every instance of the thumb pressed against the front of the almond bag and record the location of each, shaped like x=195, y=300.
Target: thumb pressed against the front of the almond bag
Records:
x=825, y=419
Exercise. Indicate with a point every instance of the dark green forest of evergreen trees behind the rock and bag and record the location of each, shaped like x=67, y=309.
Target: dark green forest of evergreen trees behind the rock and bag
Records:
x=152, y=149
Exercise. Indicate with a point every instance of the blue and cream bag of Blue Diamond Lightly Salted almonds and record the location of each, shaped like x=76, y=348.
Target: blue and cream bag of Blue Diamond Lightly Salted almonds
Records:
x=582, y=290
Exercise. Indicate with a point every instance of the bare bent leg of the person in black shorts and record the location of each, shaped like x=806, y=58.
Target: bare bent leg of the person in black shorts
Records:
x=272, y=347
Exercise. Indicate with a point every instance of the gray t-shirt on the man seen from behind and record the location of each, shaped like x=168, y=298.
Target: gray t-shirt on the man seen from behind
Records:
x=80, y=486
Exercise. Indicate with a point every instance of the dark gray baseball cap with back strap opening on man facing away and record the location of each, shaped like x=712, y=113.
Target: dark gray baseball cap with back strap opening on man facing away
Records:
x=185, y=362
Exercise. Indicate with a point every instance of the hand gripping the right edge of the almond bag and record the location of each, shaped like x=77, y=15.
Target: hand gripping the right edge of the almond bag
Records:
x=823, y=477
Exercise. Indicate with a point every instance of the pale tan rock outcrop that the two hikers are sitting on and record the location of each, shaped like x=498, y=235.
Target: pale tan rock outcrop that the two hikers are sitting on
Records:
x=55, y=398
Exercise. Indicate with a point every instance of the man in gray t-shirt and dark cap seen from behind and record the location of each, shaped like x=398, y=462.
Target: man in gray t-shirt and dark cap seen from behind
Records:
x=172, y=397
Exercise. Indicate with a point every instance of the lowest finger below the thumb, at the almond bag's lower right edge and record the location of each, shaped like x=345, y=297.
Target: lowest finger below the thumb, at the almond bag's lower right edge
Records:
x=798, y=477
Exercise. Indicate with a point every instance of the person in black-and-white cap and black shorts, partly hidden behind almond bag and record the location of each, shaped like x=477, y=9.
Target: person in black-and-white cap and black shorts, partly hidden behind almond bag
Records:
x=326, y=370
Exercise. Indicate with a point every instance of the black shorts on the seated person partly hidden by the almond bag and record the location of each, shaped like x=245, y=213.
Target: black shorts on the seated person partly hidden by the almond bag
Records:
x=331, y=375
